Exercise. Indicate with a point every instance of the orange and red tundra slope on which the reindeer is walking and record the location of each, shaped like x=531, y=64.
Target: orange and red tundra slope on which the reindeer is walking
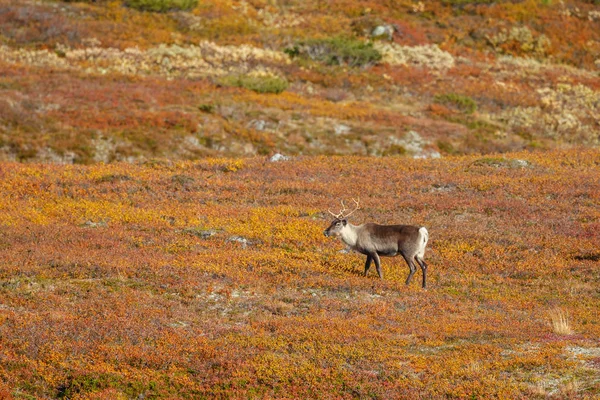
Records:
x=213, y=279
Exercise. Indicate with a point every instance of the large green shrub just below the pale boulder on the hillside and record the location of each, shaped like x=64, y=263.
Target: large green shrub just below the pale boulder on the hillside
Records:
x=337, y=51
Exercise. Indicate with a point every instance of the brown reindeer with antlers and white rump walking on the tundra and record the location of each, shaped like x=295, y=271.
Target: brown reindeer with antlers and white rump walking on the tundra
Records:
x=374, y=240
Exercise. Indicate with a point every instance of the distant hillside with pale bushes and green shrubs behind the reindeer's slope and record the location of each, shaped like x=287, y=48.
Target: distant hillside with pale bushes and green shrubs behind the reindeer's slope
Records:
x=103, y=81
